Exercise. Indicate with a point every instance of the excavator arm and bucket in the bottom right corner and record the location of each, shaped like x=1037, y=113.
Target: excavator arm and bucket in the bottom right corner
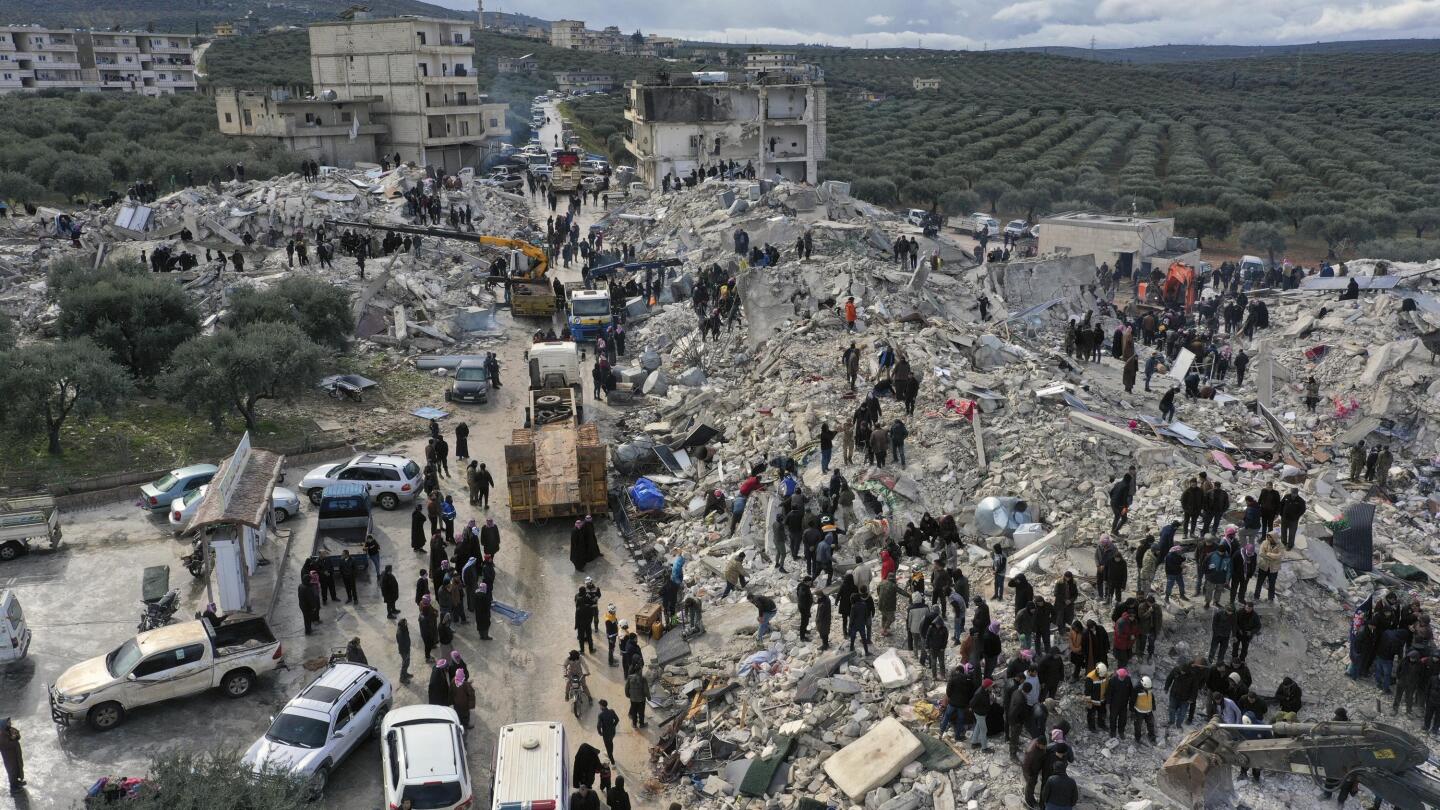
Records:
x=1392, y=763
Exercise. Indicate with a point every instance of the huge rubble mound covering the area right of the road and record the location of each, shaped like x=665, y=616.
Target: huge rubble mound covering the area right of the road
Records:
x=1003, y=411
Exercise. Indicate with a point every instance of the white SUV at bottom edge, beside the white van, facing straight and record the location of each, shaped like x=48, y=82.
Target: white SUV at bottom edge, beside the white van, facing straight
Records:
x=423, y=753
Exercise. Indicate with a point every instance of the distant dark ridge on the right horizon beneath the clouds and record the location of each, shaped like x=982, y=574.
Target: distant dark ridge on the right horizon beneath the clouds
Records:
x=1167, y=54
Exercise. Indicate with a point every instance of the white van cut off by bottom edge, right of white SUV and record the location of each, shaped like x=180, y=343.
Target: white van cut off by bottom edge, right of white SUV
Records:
x=532, y=769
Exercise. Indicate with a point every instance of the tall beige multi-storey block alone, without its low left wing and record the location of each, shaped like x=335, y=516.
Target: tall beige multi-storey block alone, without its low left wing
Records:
x=423, y=73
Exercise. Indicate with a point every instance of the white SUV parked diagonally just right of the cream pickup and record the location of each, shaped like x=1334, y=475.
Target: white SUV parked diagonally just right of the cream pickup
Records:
x=325, y=724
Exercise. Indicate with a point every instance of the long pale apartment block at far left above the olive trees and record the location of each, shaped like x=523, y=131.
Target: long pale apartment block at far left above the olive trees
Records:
x=149, y=64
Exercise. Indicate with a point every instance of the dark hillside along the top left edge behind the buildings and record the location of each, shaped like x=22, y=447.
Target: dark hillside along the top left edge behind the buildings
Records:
x=199, y=15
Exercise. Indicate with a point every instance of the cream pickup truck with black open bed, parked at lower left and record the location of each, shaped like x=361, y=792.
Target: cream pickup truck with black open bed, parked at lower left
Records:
x=161, y=665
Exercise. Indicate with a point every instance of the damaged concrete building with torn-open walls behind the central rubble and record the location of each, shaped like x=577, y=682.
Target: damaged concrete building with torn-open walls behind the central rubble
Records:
x=777, y=125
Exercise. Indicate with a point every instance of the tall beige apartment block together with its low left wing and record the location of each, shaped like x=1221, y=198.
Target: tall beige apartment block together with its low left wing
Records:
x=385, y=87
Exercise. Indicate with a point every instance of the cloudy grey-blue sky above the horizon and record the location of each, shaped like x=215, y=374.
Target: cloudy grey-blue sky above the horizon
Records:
x=1000, y=24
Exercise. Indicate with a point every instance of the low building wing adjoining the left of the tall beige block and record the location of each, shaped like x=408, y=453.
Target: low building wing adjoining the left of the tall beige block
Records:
x=330, y=132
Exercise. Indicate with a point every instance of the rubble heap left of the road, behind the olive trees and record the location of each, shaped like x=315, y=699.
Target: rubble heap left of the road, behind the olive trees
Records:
x=418, y=302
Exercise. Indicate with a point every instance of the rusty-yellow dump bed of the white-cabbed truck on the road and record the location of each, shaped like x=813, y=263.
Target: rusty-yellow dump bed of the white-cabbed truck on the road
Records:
x=555, y=466
